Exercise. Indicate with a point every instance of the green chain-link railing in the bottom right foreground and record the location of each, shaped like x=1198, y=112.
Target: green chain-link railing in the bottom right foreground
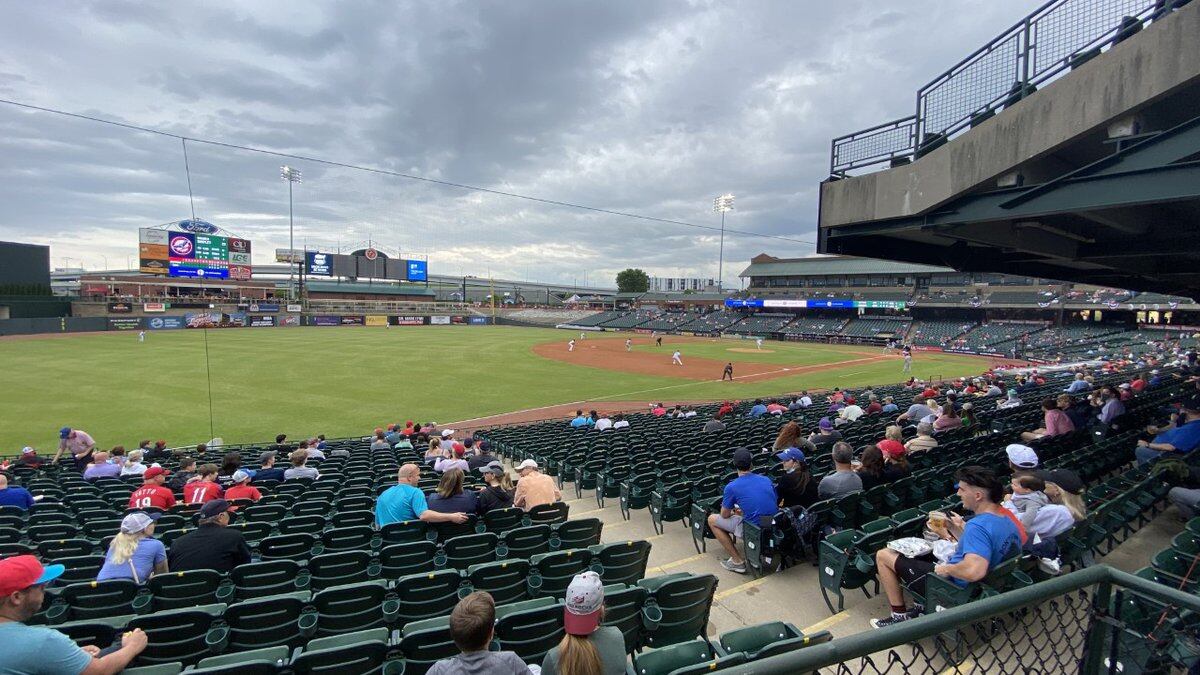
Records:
x=1091, y=622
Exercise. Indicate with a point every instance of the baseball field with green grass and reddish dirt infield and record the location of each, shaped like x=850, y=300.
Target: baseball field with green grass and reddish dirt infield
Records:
x=346, y=381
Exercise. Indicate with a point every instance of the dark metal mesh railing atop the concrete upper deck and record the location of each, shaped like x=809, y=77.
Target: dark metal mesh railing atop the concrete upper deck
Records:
x=1059, y=37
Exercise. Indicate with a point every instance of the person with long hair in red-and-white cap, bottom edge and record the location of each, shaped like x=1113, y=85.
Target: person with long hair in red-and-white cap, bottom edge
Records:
x=587, y=648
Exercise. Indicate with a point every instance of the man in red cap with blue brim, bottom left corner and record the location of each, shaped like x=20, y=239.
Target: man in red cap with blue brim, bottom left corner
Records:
x=37, y=649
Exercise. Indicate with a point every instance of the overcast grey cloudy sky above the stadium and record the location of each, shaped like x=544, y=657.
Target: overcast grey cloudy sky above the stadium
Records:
x=635, y=106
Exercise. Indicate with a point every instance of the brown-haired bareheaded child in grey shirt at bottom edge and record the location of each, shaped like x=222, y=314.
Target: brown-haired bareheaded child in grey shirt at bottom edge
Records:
x=472, y=625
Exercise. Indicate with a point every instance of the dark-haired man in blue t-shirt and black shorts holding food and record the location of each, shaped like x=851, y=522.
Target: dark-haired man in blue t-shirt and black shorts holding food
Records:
x=986, y=541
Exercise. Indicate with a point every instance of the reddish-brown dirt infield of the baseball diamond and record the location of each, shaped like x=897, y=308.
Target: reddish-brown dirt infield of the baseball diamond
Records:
x=611, y=355
